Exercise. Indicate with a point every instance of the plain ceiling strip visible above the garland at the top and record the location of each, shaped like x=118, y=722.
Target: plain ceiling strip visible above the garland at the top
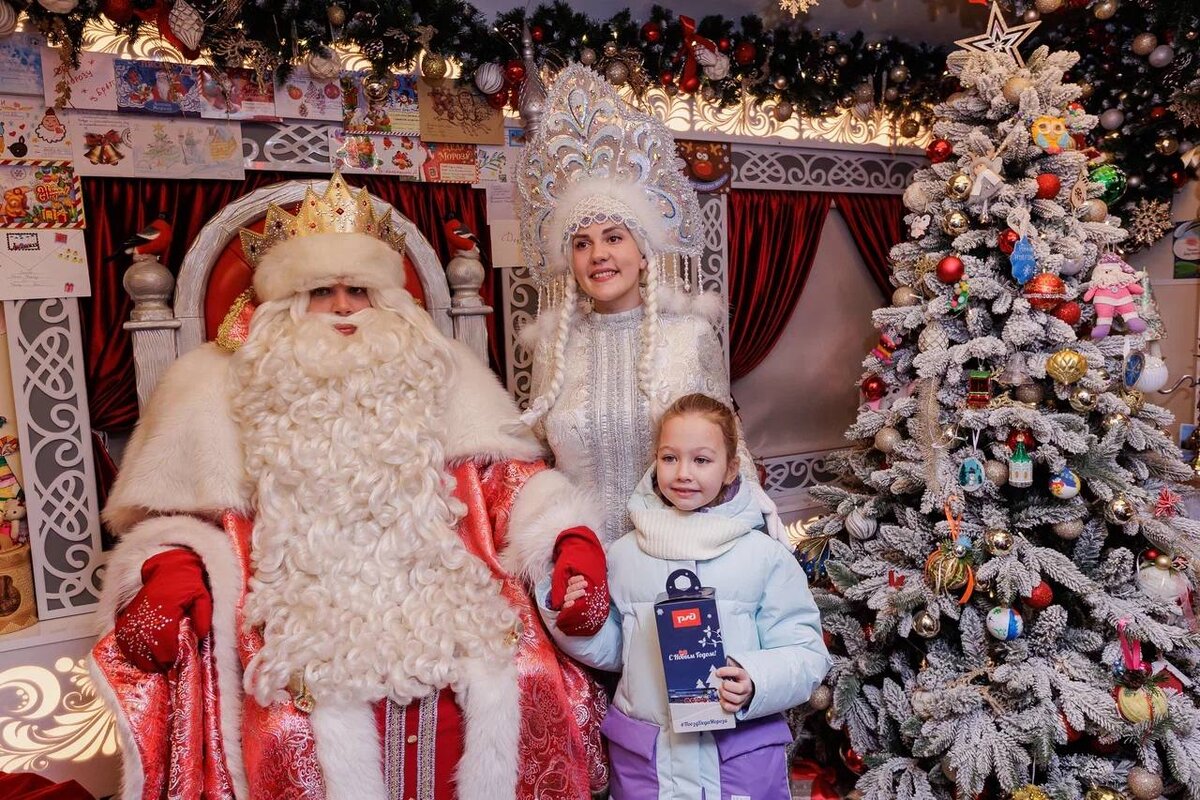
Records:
x=928, y=21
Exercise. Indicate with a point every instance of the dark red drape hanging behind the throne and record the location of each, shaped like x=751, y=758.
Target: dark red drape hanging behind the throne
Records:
x=119, y=208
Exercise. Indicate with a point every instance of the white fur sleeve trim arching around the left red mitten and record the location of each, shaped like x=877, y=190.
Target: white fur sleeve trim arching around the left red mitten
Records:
x=123, y=580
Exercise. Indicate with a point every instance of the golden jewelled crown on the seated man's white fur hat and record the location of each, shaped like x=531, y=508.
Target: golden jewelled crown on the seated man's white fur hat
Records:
x=340, y=210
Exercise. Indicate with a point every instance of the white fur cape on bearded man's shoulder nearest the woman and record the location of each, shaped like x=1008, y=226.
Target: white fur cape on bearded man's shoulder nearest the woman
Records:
x=482, y=418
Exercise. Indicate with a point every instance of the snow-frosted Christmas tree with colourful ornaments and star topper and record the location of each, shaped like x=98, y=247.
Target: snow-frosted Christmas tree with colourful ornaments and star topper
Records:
x=1005, y=579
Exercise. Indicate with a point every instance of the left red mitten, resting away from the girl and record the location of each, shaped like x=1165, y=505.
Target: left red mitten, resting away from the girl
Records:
x=172, y=588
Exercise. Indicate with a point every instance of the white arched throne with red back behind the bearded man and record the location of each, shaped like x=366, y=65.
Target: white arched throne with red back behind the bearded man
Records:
x=215, y=272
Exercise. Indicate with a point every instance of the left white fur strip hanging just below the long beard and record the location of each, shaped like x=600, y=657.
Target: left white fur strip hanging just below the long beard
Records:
x=350, y=751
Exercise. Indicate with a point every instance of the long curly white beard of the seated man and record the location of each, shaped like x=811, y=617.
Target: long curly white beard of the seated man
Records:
x=361, y=581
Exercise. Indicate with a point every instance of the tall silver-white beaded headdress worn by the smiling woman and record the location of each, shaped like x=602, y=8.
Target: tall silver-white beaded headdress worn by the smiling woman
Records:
x=593, y=159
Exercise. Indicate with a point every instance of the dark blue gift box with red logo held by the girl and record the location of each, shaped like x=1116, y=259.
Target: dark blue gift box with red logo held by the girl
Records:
x=691, y=643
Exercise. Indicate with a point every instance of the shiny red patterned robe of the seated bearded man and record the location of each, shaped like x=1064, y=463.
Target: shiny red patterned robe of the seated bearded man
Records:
x=178, y=733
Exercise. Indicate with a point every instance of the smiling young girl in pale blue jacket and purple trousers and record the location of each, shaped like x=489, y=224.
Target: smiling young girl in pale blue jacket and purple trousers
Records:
x=692, y=512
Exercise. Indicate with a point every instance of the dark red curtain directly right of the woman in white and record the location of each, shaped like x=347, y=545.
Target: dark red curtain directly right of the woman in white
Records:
x=773, y=242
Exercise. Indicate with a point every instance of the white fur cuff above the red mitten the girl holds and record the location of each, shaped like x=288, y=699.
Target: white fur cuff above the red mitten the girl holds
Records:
x=548, y=506
